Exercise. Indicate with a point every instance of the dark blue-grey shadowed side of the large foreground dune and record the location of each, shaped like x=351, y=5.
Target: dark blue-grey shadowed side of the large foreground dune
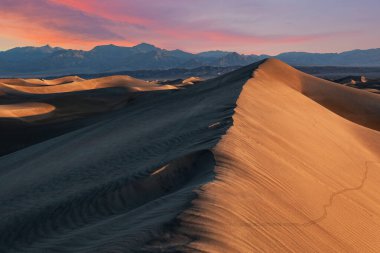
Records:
x=71, y=198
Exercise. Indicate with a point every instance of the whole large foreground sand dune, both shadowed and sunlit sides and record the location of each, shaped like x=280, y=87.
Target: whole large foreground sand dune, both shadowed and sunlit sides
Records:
x=263, y=159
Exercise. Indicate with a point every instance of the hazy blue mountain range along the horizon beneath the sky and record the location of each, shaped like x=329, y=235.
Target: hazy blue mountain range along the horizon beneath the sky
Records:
x=47, y=60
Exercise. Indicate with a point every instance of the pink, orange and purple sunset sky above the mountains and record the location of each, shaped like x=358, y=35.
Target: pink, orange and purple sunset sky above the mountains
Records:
x=245, y=26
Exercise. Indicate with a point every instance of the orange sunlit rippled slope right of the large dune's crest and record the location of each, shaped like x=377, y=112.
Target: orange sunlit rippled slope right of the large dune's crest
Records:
x=291, y=175
